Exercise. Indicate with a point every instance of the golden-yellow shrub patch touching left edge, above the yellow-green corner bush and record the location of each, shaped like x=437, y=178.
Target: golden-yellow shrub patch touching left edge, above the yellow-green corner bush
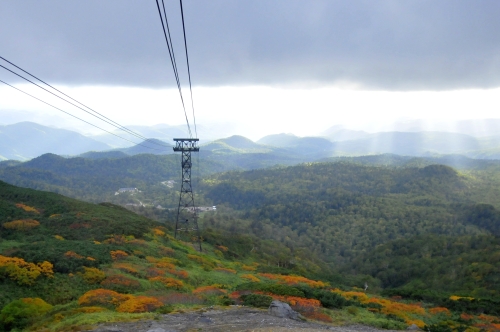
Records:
x=23, y=272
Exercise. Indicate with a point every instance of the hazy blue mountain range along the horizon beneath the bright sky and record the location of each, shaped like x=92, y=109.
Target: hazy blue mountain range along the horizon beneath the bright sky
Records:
x=26, y=140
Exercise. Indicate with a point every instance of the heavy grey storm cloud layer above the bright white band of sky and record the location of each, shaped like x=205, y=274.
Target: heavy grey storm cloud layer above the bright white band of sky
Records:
x=393, y=45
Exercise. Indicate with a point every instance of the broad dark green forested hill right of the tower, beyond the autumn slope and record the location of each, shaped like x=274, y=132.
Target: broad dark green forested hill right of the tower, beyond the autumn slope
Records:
x=349, y=213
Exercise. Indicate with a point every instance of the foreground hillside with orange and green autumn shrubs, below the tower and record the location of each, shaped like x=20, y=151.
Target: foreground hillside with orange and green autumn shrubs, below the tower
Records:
x=67, y=265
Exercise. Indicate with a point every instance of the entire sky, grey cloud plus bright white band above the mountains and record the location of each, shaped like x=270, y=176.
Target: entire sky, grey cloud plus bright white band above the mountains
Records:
x=258, y=67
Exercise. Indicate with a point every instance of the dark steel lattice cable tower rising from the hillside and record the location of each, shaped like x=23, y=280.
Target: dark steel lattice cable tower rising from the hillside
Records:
x=186, y=197
